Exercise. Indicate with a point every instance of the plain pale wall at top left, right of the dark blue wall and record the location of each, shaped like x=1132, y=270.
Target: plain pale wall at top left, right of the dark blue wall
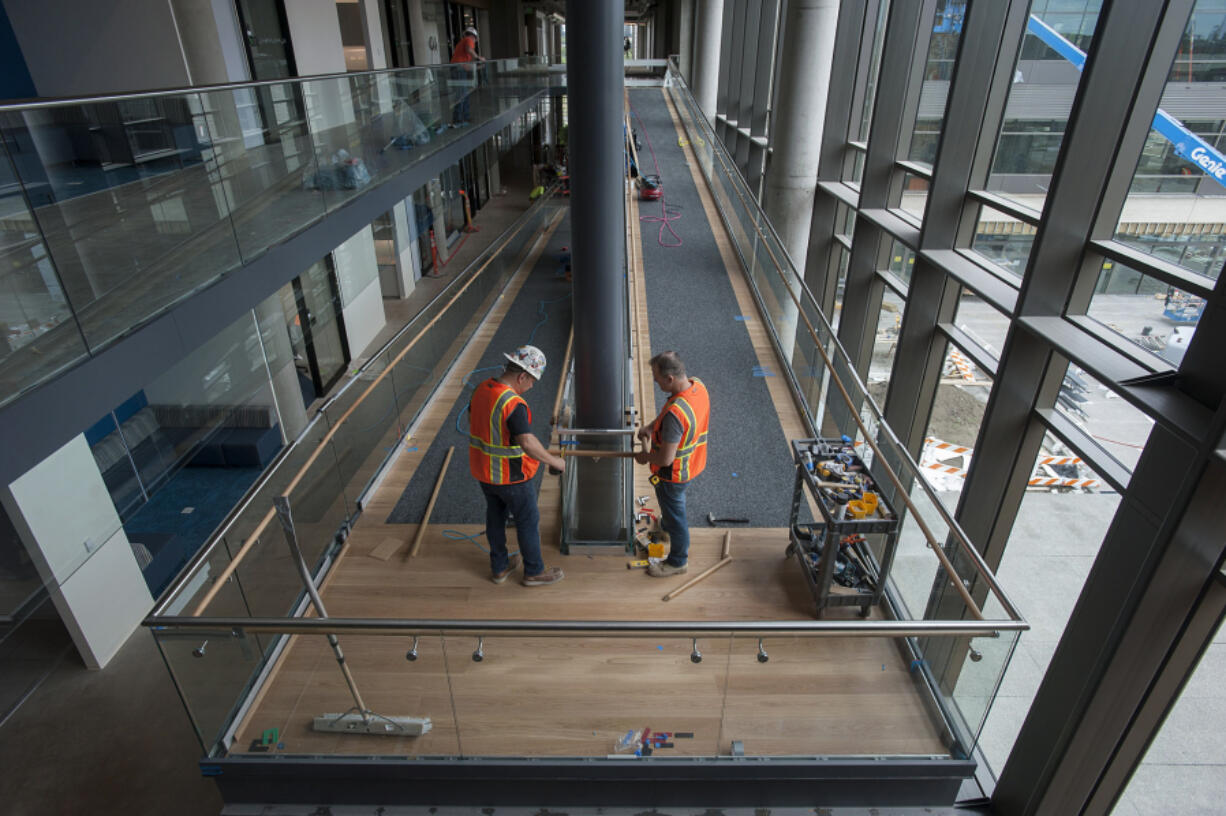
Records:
x=74, y=48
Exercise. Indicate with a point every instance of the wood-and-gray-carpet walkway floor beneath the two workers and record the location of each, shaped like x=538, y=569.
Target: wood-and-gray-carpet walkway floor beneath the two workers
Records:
x=576, y=697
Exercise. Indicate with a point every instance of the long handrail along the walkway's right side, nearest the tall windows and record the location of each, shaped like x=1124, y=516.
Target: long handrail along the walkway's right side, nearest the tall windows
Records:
x=959, y=535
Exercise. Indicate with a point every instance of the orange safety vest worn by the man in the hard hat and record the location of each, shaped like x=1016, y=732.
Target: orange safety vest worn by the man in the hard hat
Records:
x=493, y=456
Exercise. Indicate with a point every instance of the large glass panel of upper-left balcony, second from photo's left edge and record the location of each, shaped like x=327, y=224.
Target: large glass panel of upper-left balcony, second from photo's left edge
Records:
x=126, y=204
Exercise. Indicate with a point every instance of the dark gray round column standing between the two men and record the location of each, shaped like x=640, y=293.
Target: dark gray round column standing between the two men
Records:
x=598, y=247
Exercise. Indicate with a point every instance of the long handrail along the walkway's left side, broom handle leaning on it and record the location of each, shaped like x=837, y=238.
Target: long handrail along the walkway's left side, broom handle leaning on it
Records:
x=464, y=279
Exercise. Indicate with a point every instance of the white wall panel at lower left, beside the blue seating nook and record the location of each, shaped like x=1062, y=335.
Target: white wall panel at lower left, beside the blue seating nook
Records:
x=66, y=518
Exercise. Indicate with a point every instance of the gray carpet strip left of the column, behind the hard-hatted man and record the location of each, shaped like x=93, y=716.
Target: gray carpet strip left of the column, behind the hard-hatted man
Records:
x=460, y=501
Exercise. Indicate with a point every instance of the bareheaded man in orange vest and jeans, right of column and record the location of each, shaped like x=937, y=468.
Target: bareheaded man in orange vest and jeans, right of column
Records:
x=677, y=454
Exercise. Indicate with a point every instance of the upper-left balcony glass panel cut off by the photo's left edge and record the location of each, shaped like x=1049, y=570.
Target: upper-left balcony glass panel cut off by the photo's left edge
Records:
x=39, y=336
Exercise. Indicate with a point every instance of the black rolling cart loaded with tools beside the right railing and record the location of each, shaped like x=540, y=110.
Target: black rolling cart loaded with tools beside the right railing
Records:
x=836, y=550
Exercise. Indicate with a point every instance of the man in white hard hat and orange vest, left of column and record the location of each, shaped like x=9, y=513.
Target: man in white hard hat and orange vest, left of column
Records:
x=503, y=456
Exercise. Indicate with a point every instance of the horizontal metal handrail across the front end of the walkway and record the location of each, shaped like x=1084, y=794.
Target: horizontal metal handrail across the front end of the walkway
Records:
x=389, y=627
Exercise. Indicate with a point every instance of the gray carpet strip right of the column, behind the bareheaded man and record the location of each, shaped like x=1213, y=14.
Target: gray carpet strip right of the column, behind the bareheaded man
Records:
x=695, y=312
